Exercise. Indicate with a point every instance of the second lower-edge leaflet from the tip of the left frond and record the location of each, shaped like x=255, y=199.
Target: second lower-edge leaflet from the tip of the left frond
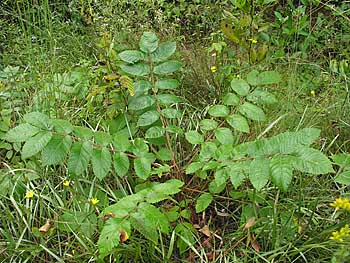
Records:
x=56, y=150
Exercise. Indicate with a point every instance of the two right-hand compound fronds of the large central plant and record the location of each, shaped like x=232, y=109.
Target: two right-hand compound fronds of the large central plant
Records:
x=259, y=161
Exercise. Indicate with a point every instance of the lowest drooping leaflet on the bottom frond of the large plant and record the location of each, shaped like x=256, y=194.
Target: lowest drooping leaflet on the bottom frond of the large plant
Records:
x=110, y=235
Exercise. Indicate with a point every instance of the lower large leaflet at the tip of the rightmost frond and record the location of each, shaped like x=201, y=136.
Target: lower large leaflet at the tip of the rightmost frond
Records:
x=312, y=161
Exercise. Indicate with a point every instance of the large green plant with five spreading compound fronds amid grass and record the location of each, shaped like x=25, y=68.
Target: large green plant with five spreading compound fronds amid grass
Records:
x=143, y=144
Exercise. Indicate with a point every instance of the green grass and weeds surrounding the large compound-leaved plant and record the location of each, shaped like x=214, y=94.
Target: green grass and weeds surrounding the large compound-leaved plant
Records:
x=291, y=227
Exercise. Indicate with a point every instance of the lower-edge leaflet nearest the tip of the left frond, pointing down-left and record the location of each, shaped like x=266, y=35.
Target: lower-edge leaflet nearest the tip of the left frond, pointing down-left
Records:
x=36, y=144
